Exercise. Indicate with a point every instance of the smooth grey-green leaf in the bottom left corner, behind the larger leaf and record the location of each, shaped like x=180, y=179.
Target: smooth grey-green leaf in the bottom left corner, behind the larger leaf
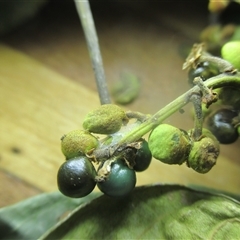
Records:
x=31, y=218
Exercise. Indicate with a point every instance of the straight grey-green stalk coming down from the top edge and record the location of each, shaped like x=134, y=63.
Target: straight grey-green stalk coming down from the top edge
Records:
x=86, y=18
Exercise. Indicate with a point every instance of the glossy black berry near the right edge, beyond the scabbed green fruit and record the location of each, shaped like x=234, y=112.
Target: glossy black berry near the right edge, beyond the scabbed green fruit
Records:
x=220, y=124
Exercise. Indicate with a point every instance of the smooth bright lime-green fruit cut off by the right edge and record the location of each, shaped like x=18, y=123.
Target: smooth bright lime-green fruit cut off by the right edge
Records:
x=231, y=52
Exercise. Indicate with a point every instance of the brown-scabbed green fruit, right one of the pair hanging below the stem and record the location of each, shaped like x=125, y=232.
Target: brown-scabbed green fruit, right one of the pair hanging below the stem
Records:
x=204, y=153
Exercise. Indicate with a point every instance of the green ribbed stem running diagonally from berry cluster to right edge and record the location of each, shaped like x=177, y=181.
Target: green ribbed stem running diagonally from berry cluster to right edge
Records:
x=156, y=119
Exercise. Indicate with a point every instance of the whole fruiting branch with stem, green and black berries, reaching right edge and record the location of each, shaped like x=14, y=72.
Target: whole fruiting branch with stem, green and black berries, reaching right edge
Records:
x=110, y=149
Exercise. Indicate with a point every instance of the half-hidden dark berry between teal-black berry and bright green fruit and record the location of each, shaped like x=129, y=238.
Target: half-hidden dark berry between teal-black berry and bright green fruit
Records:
x=143, y=157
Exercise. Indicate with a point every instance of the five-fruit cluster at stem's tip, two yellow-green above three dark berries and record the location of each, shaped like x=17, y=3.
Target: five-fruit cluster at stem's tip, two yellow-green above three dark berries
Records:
x=115, y=172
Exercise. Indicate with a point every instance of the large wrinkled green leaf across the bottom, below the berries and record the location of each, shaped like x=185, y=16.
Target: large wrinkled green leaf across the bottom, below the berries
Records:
x=156, y=212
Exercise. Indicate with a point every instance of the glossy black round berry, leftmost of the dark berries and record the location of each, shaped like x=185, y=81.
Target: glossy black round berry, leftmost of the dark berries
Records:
x=76, y=177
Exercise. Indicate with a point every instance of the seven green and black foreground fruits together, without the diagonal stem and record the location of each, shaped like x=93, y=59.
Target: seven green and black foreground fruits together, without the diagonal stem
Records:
x=115, y=172
